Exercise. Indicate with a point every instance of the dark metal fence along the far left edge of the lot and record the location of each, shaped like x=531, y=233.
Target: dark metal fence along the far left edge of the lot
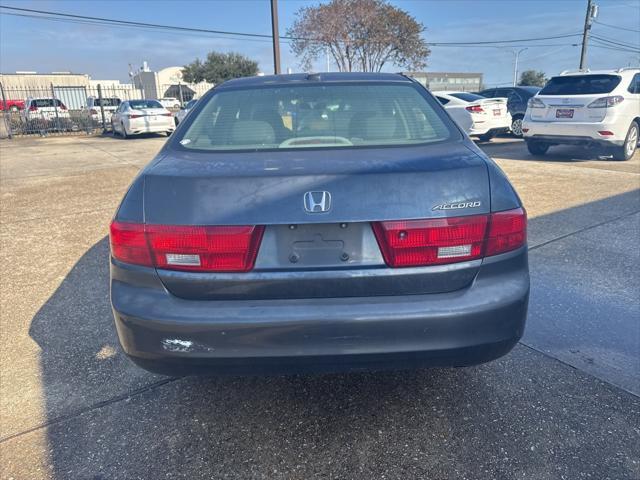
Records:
x=63, y=110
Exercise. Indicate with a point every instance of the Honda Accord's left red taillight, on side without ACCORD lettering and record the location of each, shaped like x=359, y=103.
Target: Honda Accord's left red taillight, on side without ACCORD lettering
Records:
x=188, y=248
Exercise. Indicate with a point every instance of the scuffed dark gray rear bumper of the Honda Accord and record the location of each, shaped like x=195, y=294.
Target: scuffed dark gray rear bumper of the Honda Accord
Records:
x=170, y=335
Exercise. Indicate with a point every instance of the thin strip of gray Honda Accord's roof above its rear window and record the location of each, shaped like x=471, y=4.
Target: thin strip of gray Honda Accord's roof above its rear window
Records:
x=321, y=78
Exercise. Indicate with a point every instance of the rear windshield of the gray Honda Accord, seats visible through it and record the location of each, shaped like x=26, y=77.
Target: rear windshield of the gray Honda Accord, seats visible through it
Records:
x=303, y=116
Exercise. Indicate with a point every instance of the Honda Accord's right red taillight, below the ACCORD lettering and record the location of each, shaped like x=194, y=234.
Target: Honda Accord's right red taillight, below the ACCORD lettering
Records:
x=411, y=243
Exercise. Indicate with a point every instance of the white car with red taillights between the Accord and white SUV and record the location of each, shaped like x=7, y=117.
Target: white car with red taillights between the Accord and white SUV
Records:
x=478, y=116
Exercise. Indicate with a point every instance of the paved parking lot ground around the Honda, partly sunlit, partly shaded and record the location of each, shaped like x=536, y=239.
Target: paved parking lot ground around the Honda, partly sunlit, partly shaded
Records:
x=564, y=404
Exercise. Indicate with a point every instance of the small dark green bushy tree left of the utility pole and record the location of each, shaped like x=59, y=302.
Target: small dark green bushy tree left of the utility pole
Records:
x=219, y=67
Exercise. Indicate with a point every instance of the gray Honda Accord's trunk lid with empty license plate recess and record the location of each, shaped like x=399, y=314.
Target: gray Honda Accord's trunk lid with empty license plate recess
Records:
x=309, y=254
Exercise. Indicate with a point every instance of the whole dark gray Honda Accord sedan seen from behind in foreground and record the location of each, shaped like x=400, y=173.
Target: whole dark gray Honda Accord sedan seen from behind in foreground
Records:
x=318, y=222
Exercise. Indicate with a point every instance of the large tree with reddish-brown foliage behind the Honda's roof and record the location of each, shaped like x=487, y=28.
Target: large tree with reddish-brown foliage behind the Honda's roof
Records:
x=360, y=35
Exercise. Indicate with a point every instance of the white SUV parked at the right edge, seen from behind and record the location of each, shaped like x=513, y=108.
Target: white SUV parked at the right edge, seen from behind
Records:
x=586, y=108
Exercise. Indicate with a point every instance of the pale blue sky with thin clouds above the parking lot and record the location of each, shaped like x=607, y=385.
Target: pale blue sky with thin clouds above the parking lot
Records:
x=105, y=52
